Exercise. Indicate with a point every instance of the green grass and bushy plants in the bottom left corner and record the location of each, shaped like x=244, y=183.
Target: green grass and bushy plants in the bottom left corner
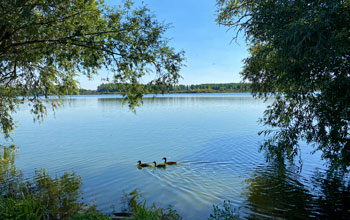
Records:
x=45, y=197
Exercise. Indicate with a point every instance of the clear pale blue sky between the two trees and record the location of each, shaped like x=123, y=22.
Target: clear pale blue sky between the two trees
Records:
x=211, y=55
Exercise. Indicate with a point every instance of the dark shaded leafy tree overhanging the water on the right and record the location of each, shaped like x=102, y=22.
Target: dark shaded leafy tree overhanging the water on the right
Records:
x=300, y=53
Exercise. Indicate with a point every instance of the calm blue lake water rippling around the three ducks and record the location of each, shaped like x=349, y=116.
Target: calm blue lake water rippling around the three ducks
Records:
x=212, y=136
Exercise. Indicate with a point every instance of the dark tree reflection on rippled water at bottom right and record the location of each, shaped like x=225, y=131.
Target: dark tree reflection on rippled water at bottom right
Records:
x=280, y=192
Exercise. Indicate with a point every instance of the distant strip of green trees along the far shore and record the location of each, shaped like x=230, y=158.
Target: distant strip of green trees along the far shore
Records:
x=115, y=88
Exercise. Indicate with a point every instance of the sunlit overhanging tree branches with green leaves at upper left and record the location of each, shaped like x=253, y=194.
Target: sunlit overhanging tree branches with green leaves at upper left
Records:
x=45, y=44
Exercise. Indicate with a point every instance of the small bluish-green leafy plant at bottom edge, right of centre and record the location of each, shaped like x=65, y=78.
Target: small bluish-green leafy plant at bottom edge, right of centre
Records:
x=226, y=212
